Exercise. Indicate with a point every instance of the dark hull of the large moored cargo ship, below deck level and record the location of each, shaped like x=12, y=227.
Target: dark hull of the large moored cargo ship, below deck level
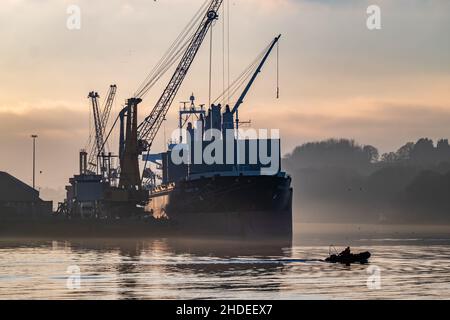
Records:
x=242, y=206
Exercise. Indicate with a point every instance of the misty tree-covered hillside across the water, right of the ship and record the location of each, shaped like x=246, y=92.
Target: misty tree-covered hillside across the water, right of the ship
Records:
x=339, y=180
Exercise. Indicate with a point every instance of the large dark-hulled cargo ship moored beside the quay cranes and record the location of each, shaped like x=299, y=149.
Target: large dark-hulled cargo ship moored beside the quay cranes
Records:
x=242, y=197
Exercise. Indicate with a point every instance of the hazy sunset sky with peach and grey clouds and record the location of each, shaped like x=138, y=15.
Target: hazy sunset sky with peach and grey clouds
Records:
x=337, y=78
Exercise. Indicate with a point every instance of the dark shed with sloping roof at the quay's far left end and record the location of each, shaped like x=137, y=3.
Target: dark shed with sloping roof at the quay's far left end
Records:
x=18, y=199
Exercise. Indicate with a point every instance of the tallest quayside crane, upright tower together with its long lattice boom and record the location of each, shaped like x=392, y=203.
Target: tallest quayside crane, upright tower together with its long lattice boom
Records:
x=136, y=139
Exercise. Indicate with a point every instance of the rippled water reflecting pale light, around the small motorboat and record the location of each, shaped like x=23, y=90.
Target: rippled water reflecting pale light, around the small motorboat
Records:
x=199, y=269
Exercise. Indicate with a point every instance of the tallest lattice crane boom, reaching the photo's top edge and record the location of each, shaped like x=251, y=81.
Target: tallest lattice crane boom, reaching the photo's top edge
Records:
x=148, y=129
